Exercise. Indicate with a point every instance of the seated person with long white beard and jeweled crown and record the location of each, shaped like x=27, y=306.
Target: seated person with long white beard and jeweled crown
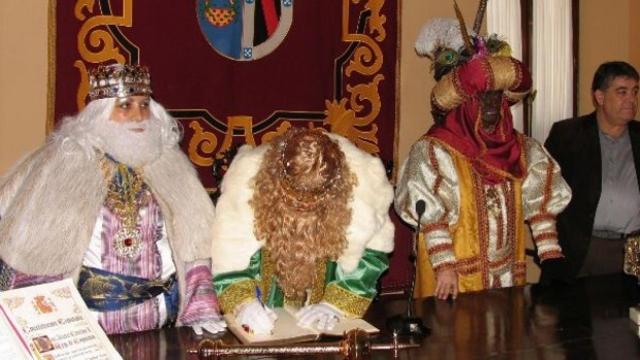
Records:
x=111, y=201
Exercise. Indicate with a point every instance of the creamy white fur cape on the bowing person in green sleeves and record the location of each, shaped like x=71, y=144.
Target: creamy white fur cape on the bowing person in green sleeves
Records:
x=234, y=241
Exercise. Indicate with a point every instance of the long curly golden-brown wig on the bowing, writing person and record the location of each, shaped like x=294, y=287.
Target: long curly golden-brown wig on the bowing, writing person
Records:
x=302, y=190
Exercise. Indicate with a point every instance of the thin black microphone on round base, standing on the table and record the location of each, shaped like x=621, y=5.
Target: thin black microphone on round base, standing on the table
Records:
x=410, y=325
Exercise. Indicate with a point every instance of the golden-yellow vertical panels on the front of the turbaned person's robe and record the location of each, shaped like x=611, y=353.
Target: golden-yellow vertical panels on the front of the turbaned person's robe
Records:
x=470, y=236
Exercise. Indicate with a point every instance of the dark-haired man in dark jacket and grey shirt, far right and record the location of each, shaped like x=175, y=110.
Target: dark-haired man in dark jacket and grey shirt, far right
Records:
x=599, y=155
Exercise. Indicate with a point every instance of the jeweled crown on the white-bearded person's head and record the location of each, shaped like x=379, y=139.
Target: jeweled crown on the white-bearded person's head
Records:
x=119, y=80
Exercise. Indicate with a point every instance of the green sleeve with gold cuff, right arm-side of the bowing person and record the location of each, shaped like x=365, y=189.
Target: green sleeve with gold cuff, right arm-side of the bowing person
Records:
x=352, y=292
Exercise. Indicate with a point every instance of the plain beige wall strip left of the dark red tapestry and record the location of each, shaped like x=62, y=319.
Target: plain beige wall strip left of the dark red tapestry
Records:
x=23, y=77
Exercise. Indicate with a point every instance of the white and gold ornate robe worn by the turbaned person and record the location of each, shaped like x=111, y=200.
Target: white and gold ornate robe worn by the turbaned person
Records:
x=476, y=227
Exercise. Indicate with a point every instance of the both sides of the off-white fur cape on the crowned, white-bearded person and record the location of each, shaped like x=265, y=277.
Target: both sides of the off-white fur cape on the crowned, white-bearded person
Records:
x=50, y=201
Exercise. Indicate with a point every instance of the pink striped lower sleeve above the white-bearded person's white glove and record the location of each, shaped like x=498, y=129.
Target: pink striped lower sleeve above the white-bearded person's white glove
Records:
x=201, y=304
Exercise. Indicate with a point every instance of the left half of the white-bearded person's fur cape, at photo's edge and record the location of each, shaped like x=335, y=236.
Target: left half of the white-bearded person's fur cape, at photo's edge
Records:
x=50, y=205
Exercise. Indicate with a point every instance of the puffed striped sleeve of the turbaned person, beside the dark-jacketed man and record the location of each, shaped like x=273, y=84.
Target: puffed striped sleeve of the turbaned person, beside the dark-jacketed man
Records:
x=544, y=195
